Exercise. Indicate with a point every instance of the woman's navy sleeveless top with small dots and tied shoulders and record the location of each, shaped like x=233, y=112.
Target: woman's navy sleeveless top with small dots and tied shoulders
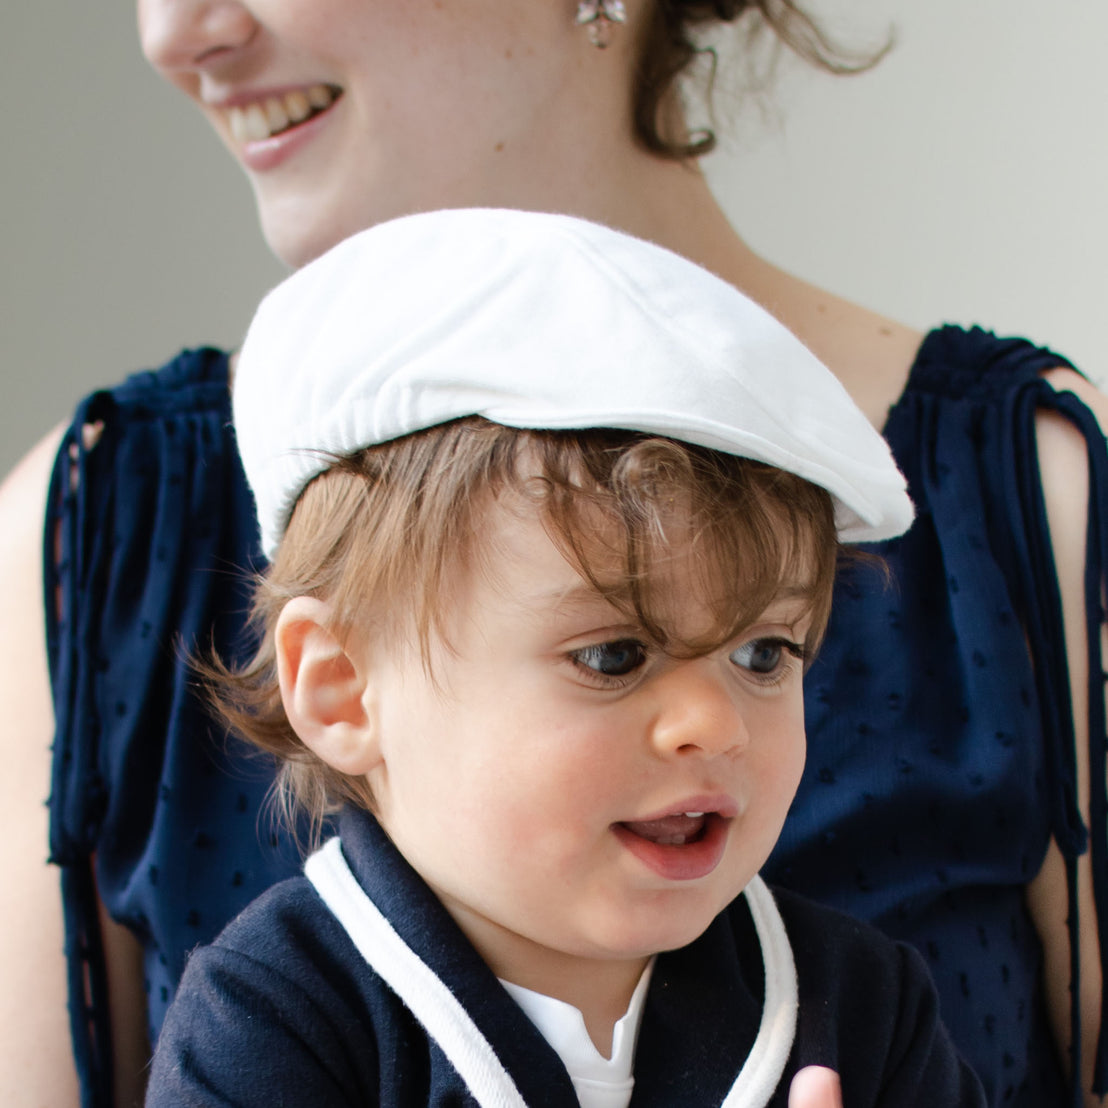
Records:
x=941, y=760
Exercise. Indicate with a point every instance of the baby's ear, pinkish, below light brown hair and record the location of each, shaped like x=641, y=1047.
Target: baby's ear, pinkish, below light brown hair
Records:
x=324, y=686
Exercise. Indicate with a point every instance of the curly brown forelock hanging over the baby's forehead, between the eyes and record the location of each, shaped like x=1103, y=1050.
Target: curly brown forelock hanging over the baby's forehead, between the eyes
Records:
x=750, y=534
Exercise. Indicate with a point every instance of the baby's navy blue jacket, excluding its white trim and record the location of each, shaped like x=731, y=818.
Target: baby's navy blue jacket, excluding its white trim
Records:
x=283, y=1010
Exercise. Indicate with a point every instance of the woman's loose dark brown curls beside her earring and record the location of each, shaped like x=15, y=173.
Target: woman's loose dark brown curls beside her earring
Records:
x=670, y=47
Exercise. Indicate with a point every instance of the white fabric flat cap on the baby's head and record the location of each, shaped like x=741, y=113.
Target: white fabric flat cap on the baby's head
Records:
x=537, y=321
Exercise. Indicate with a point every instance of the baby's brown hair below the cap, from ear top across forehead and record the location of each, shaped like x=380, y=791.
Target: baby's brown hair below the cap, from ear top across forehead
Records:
x=393, y=528
